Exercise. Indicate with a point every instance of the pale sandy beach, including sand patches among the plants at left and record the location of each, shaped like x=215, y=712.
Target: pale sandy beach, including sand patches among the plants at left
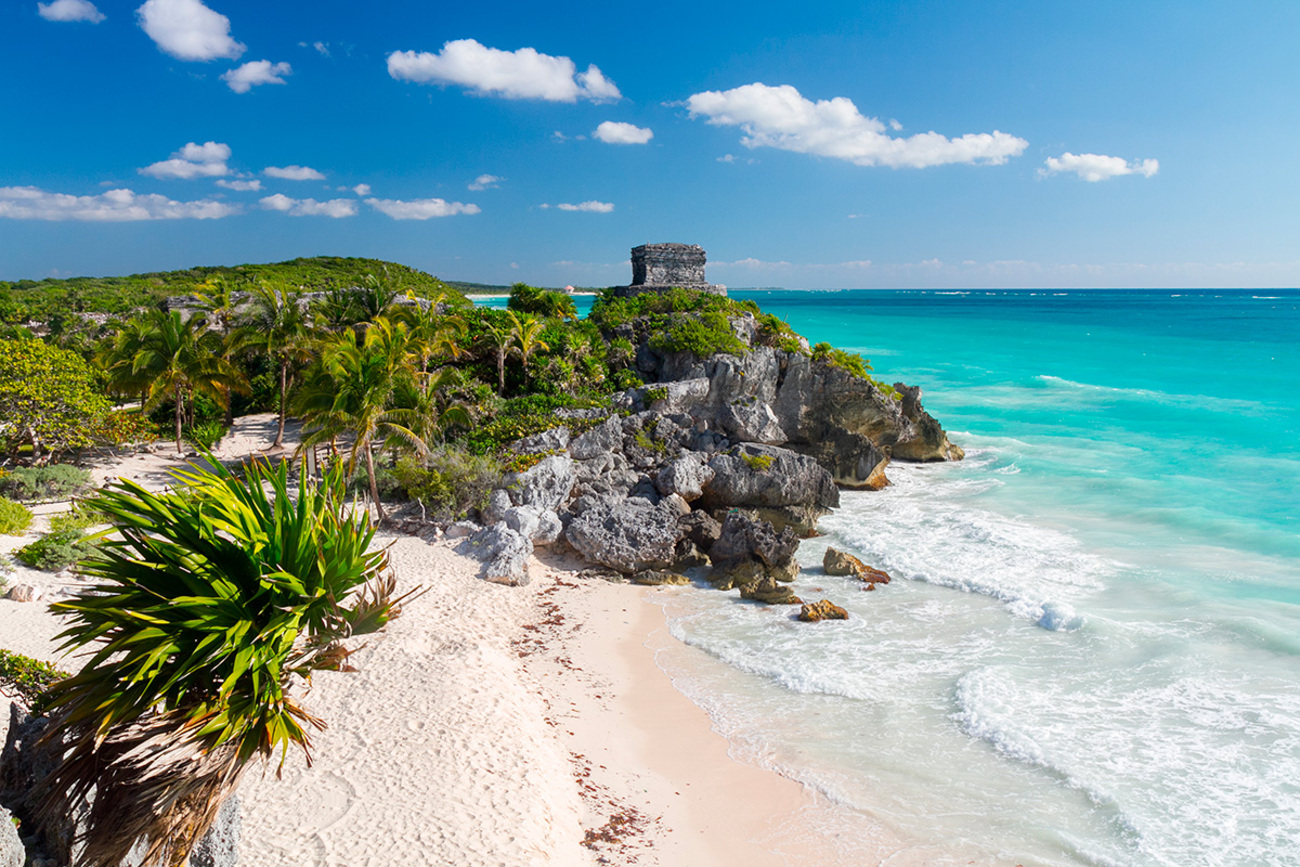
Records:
x=487, y=726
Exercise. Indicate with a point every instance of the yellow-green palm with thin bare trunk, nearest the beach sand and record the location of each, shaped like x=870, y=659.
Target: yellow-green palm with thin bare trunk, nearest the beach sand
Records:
x=353, y=395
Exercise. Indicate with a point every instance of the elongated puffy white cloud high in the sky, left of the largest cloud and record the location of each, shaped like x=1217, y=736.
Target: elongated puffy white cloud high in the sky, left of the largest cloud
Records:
x=513, y=75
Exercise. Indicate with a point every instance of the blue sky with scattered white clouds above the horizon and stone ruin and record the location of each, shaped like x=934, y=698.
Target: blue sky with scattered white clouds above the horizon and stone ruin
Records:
x=826, y=145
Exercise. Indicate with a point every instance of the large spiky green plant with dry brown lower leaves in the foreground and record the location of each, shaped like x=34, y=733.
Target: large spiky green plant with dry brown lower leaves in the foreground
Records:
x=214, y=602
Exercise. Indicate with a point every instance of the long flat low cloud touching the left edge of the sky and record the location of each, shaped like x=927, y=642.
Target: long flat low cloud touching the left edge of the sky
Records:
x=114, y=206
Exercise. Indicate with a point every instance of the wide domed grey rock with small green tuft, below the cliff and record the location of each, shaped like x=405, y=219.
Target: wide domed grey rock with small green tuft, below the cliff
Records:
x=755, y=475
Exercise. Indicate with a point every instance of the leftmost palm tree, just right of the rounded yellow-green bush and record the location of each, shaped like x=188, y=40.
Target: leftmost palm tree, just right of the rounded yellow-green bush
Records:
x=170, y=358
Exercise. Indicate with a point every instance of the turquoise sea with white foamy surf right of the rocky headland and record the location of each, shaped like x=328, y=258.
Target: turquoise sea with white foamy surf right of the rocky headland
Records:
x=1091, y=649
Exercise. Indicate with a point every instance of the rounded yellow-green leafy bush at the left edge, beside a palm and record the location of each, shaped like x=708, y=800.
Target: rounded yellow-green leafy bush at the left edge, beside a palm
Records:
x=49, y=398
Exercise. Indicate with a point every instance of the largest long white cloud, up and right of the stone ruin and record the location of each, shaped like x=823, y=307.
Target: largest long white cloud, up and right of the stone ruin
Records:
x=783, y=119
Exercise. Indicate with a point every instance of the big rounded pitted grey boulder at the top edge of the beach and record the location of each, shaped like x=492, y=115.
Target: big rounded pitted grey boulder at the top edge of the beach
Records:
x=627, y=535
